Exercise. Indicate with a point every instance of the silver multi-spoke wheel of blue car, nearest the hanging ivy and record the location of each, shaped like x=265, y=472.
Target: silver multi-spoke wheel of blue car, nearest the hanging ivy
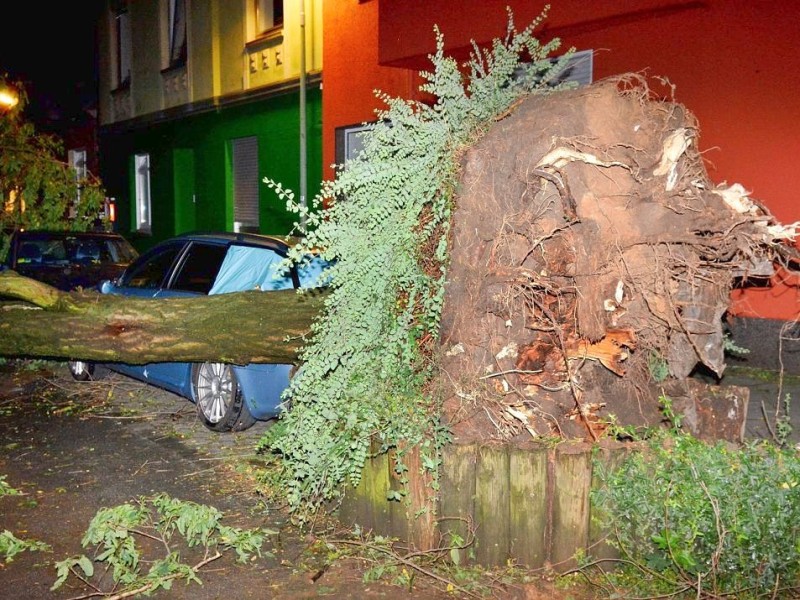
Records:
x=220, y=403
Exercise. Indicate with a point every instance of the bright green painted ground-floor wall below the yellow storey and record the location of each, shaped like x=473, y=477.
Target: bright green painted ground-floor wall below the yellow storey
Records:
x=192, y=170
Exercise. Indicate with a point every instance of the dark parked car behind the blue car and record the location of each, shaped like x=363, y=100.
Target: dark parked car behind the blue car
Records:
x=68, y=260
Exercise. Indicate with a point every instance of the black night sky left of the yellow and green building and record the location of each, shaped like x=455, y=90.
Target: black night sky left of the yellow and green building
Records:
x=51, y=48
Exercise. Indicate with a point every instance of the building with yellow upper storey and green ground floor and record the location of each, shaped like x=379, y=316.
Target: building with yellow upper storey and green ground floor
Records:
x=199, y=101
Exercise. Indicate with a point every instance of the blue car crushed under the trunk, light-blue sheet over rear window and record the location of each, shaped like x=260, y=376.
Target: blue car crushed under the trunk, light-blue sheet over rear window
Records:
x=228, y=397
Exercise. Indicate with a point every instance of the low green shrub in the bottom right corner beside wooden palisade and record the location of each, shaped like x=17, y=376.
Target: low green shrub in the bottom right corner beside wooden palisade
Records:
x=705, y=520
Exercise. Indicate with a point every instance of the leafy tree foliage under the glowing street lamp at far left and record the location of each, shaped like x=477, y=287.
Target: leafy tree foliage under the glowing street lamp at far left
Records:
x=38, y=188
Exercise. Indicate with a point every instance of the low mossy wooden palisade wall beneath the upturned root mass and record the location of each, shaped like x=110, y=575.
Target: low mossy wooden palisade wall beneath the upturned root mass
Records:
x=525, y=502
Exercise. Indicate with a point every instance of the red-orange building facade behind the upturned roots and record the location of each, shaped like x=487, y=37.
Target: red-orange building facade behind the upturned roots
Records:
x=733, y=63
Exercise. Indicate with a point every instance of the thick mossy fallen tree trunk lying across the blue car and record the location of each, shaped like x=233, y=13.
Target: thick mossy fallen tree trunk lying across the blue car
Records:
x=237, y=328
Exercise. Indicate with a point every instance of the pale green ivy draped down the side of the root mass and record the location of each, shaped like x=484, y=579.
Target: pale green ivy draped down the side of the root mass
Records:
x=385, y=226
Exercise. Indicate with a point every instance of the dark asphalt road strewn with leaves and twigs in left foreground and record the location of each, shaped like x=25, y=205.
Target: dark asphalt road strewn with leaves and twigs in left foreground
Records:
x=73, y=448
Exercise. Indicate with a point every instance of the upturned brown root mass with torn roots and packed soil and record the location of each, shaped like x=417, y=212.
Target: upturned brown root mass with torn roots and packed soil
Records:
x=592, y=260
